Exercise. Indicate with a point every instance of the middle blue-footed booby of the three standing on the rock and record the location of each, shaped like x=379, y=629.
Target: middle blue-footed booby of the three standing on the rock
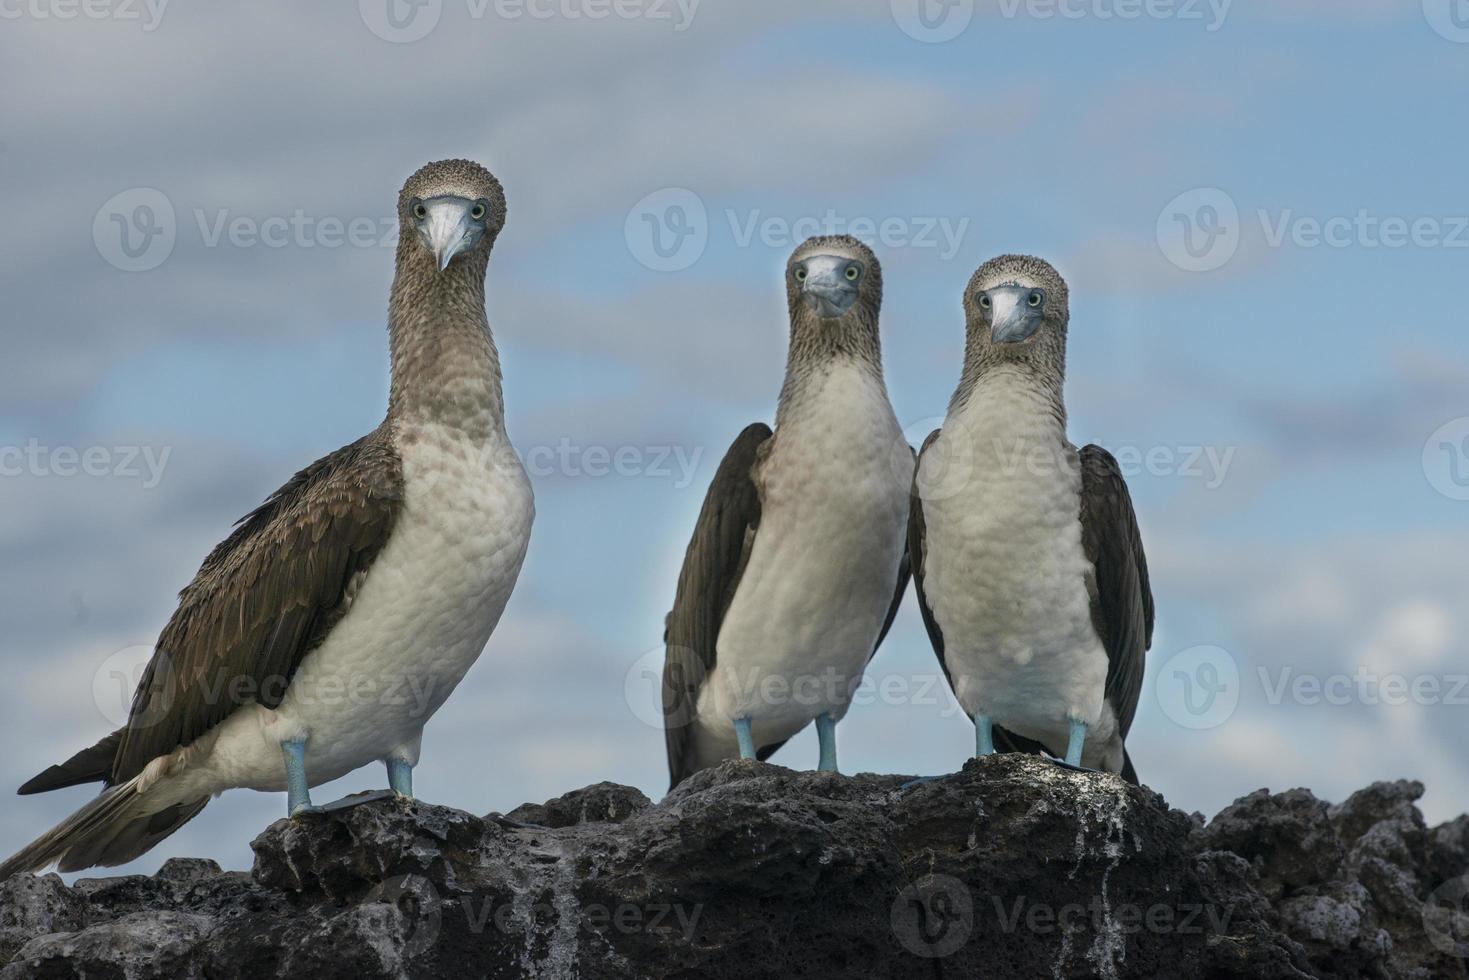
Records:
x=798, y=562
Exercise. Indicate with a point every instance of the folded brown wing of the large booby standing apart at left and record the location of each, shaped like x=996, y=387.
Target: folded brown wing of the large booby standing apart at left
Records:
x=261, y=603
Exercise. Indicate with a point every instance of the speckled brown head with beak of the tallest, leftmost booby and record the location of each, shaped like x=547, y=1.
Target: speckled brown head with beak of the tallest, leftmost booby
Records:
x=450, y=212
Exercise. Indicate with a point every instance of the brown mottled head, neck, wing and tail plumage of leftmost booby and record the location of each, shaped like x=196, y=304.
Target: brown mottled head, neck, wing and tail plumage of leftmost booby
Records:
x=270, y=594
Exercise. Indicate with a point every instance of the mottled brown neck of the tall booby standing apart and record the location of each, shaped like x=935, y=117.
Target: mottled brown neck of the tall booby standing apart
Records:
x=446, y=370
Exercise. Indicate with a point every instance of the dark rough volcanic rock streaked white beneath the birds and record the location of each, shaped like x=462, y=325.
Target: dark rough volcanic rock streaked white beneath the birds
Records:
x=1011, y=869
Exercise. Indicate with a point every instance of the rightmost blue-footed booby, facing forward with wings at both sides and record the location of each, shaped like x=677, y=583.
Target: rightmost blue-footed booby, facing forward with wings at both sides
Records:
x=1026, y=552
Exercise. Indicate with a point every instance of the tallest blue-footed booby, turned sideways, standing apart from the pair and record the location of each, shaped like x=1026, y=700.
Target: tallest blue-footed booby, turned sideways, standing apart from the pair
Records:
x=340, y=616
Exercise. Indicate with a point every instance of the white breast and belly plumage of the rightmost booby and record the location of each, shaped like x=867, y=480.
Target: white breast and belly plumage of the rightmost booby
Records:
x=1006, y=574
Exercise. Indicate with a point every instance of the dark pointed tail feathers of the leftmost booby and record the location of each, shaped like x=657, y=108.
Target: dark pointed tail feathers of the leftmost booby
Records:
x=114, y=829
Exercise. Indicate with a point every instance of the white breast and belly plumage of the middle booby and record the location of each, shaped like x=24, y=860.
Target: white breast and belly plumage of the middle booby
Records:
x=823, y=569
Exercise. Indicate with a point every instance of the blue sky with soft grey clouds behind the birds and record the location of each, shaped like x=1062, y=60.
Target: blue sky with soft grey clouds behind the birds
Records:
x=1258, y=206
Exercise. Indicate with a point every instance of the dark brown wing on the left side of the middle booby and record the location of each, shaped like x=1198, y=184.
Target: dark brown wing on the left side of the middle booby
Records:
x=712, y=572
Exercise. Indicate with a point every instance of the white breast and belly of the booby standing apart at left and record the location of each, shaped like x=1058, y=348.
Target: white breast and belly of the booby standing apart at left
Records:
x=419, y=622
